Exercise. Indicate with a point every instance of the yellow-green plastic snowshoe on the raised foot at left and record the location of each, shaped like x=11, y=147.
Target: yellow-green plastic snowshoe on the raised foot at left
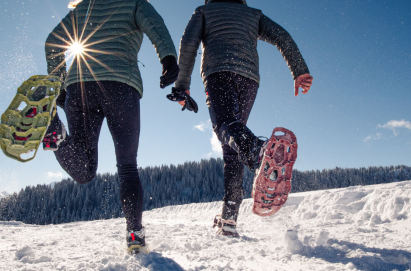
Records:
x=24, y=124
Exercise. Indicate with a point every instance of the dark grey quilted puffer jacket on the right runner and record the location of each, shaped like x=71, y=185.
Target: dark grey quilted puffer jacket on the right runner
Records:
x=229, y=33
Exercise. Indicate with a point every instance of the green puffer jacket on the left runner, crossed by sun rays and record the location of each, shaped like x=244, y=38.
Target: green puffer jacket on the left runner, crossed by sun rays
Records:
x=113, y=32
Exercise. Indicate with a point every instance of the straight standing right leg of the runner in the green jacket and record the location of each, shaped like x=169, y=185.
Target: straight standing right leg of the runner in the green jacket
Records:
x=121, y=106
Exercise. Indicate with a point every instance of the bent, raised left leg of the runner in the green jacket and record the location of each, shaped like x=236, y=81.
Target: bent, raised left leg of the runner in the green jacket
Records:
x=77, y=154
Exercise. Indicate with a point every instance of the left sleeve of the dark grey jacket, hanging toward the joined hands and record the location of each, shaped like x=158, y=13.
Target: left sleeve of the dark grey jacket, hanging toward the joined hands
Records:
x=188, y=49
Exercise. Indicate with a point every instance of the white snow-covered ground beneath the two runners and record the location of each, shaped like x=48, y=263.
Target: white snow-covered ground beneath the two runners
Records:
x=357, y=228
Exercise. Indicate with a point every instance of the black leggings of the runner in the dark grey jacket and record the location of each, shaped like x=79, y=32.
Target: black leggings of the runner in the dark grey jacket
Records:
x=230, y=98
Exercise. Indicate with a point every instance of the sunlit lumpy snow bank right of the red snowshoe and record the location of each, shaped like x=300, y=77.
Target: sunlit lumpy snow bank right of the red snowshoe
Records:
x=363, y=204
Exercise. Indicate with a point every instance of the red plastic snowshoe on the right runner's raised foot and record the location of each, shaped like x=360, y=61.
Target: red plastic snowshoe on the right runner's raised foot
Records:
x=272, y=182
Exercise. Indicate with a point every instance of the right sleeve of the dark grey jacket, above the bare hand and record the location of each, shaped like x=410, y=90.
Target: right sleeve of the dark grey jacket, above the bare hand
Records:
x=273, y=33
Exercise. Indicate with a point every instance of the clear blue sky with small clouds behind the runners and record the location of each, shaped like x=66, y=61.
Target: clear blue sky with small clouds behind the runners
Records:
x=357, y=113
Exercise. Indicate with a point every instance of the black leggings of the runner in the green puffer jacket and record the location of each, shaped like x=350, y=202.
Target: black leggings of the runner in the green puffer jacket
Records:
x=86, y=106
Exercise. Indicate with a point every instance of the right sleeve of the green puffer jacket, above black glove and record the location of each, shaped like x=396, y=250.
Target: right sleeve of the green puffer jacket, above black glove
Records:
x=151, y=23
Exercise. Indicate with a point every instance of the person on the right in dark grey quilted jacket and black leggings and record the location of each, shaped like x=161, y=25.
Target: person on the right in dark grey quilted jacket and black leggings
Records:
x=229, y=30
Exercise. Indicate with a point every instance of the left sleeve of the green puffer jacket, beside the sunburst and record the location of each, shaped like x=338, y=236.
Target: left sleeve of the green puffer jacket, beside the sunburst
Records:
x=56, y=46
